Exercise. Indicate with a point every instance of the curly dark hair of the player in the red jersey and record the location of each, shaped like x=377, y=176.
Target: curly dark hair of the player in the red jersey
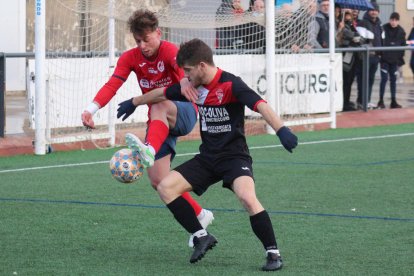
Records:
x=142, y=21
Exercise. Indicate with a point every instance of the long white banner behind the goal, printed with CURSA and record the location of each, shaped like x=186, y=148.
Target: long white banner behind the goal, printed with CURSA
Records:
x=303, y=88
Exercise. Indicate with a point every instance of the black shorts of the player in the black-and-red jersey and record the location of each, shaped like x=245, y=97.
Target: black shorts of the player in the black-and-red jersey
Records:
x=201, y=172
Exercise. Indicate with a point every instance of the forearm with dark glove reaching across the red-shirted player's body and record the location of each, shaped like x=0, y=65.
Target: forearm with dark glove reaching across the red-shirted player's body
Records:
x=126, y=108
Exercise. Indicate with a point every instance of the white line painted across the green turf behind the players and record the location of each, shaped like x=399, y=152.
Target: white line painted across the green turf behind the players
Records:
x=193, y=153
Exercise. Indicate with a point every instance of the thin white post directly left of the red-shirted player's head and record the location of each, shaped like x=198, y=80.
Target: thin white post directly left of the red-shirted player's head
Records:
x=111, y=59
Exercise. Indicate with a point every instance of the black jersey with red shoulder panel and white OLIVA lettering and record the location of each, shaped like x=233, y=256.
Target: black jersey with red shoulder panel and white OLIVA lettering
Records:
x=221, y=106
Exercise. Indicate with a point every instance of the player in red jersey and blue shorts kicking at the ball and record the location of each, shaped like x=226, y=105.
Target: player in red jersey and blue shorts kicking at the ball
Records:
x=154, y=63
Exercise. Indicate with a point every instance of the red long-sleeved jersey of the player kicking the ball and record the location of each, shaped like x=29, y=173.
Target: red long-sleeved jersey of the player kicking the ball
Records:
x=161, y=71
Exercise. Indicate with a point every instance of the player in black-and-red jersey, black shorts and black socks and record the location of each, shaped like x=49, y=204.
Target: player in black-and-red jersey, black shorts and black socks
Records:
x=221, y=99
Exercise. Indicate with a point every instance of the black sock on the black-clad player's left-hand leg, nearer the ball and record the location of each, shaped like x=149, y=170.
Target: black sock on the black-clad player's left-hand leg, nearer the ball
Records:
x=184, y=214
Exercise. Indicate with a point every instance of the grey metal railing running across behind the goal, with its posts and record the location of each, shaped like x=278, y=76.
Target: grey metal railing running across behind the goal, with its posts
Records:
x=365, y=50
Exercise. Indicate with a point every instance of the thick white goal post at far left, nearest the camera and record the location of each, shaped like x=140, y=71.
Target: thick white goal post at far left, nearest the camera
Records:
x=40, y=81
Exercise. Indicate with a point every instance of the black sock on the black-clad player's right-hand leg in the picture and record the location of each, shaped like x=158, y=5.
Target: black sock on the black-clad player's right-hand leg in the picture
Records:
x=262, y=227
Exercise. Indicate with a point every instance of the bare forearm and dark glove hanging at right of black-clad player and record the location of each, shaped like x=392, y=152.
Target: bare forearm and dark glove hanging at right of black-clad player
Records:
x=286, y=137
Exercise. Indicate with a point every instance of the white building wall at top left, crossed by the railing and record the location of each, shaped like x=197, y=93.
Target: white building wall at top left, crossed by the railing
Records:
x=13, y=40
